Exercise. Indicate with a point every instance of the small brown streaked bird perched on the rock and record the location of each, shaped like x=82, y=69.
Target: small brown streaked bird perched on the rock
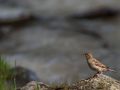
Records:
x=95, y=64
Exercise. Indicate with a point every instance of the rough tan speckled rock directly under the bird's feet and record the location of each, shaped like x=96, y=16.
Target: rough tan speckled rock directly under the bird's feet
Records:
x=101, y=82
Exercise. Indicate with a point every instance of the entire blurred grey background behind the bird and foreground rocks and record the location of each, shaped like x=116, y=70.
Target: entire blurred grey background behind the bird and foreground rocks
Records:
x=49, y=37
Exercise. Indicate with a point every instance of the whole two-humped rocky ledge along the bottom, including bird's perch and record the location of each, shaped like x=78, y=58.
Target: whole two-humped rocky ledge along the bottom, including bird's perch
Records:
x=100, y=82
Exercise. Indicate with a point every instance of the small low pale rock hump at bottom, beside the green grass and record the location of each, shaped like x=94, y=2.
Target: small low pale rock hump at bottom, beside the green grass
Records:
x=33, y=85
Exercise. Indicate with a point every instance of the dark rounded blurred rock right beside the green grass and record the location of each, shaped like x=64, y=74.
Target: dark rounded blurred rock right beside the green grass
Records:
x=23, y=75
